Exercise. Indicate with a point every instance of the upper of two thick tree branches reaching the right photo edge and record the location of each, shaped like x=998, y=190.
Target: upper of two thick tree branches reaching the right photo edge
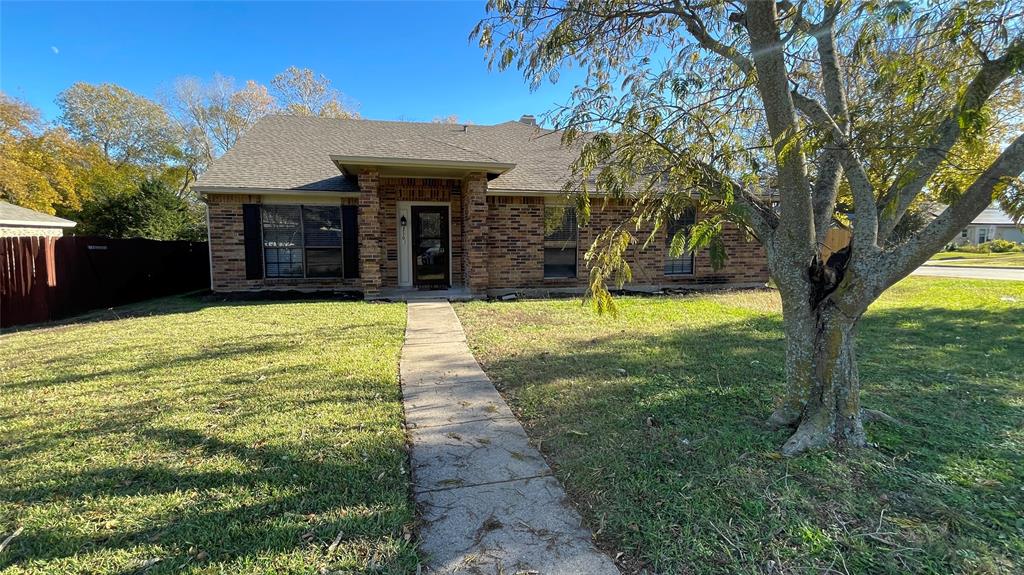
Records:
x=917, y=173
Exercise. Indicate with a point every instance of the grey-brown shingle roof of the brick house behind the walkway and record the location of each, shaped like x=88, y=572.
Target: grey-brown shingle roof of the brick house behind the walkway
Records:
x=294, y=153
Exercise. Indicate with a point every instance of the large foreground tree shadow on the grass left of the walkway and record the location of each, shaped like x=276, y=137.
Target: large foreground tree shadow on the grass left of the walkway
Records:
x=301, y=503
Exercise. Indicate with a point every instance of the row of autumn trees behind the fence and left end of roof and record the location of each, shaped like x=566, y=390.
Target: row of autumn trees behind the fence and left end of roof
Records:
x=123, y=165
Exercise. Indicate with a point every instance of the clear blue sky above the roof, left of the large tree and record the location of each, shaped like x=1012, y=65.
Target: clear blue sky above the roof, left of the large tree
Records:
x=400, y=61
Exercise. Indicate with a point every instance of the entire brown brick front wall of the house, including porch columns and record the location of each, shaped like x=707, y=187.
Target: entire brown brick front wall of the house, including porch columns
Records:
x=507, y=231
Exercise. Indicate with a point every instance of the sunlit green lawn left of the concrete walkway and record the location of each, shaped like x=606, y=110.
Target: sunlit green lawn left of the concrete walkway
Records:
x=207, y=438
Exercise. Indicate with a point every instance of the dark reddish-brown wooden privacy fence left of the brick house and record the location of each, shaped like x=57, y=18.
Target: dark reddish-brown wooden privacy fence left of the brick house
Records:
x=46, y=279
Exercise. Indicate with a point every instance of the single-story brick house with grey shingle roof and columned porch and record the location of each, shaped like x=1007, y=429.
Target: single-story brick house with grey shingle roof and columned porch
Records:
x=385, y=207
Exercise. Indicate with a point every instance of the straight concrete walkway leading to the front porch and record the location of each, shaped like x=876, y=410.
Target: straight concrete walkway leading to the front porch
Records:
x=488, y=501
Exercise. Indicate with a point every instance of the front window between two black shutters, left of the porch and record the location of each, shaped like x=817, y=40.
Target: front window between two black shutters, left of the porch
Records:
x=303, y=241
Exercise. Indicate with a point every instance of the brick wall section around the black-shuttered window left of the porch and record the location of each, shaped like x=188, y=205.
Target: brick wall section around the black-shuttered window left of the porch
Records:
x=228, y=251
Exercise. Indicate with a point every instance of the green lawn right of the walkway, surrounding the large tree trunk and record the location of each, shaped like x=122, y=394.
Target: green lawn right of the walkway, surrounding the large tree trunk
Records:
x=653, y=421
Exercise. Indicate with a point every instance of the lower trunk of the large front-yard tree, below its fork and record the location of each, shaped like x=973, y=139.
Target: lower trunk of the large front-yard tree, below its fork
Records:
x=823, y=399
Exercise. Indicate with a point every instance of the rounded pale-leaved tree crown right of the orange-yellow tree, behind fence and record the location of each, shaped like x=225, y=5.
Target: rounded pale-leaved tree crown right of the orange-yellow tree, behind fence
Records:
x=127, y=127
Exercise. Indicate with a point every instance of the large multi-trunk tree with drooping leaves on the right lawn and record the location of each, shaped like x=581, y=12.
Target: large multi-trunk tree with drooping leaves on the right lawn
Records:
x=765, y=116
